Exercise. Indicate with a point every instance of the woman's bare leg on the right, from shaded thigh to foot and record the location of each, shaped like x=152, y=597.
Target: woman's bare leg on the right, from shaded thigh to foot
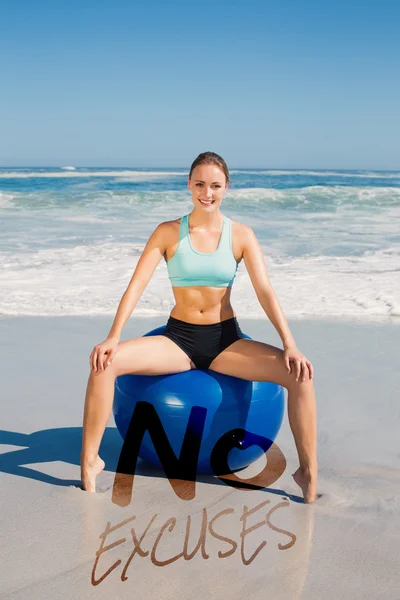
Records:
x=256, y=361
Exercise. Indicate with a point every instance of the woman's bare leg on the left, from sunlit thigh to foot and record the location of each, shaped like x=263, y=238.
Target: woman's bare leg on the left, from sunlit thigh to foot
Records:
x=153, y=355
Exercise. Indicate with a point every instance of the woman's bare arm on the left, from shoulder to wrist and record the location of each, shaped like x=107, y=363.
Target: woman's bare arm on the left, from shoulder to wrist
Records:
x=149, y=259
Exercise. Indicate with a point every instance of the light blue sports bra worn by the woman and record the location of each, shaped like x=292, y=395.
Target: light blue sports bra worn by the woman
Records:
x=188, y=267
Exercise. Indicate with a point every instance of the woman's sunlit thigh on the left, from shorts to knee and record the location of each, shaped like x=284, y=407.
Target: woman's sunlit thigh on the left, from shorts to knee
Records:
x=152, y=355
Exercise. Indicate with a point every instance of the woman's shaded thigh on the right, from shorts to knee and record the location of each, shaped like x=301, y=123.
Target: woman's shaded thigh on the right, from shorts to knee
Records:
x=254, y=361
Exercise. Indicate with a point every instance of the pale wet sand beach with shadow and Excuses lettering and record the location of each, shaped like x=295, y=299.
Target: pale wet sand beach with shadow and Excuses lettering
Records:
x=344, y=545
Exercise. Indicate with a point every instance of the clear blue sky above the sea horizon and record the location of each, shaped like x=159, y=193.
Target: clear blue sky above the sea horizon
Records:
x=285, y=84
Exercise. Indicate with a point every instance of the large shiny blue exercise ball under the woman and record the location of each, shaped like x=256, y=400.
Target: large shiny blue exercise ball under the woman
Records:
x=256, y=409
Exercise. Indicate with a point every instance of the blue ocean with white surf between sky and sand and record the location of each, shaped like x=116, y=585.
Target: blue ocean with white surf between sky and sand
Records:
x=70, y=239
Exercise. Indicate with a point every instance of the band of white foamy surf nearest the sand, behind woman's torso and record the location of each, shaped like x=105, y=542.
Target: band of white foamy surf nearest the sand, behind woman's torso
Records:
x=90, y=280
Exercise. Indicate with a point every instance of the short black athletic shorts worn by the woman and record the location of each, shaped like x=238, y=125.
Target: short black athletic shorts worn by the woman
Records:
x=203, y=343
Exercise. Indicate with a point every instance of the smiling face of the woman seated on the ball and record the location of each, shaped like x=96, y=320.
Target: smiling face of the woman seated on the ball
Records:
x=208, y=185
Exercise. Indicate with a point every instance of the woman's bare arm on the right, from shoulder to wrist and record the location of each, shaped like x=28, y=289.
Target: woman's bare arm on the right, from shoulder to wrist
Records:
x=257, y=269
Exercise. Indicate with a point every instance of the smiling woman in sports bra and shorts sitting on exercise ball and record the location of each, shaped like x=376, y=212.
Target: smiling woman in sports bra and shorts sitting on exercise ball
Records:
x=202, y=251
